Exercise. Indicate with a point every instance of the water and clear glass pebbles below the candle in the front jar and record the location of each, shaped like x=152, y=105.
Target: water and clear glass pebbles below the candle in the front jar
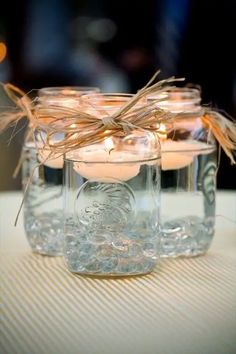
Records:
x=115, y=228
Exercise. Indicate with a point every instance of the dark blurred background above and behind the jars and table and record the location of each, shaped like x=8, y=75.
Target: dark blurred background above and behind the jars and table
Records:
x=117, y=46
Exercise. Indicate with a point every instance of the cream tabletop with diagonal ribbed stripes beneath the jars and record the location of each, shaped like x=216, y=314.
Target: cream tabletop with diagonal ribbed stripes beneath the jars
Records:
x=186, y=305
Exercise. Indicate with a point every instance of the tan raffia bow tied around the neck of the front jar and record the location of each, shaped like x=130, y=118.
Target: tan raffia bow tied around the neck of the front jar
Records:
x=82, y=128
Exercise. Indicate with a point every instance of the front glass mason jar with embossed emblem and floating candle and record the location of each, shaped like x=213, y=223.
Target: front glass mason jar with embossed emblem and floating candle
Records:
x=111, y=202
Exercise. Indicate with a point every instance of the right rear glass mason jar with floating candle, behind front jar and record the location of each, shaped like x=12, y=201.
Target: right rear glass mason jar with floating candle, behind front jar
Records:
x=188, y=175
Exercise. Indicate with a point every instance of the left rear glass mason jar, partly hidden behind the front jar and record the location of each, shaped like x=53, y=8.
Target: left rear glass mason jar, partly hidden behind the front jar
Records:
x=43, y=204
